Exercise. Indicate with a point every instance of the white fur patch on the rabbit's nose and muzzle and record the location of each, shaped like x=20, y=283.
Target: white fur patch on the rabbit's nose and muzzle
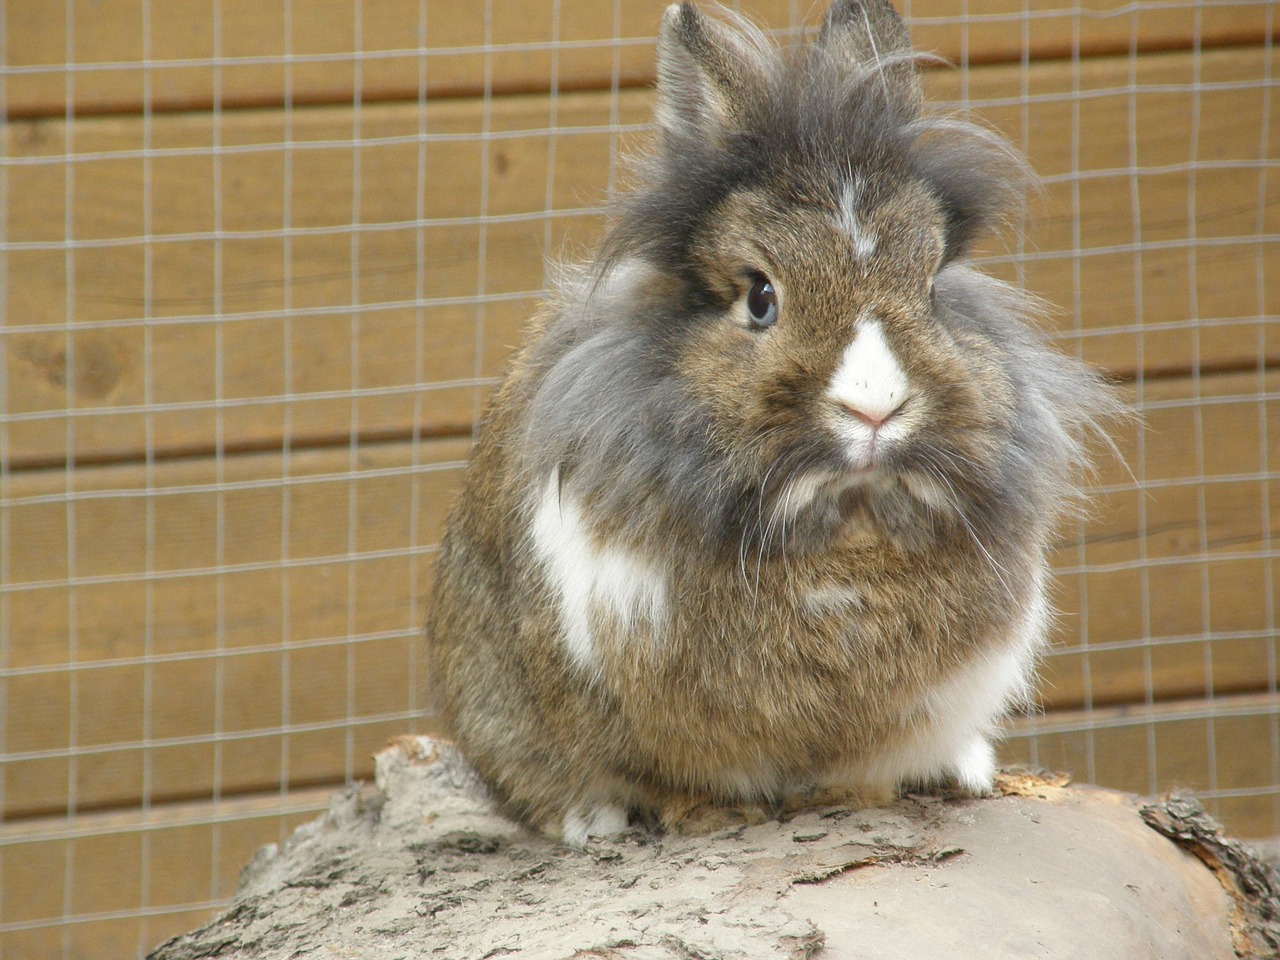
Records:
x=872, y=386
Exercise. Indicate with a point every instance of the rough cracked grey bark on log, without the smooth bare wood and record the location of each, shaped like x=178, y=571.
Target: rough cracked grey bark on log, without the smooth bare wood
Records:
x=426, y=787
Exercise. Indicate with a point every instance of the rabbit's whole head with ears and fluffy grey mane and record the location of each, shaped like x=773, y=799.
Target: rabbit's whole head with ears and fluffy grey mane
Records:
x=784, y=336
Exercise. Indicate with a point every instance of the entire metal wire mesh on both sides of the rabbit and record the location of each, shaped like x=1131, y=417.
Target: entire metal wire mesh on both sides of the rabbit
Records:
x=74, y=497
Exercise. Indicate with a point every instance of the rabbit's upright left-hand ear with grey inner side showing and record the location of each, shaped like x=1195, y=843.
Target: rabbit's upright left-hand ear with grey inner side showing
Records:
x=706, y=72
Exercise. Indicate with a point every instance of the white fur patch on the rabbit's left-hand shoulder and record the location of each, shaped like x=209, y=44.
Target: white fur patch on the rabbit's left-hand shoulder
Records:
x=592, y=579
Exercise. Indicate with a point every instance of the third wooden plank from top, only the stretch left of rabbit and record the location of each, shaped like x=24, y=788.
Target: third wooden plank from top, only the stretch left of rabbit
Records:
x=271, y=633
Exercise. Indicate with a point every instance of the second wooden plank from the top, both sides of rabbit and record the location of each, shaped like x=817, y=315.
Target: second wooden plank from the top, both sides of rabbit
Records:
x=230, y=331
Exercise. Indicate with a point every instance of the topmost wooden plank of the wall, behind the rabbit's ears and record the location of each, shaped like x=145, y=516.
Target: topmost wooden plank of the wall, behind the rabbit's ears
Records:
x=245, y=53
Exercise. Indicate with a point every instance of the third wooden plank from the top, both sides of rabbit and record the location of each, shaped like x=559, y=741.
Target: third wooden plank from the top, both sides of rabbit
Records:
x=287, y=647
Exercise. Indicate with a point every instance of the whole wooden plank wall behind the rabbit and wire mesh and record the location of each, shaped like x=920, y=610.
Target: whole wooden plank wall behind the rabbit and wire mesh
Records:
x=255, y=286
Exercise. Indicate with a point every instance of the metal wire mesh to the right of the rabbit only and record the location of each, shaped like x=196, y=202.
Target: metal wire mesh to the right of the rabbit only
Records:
x=1212, y=710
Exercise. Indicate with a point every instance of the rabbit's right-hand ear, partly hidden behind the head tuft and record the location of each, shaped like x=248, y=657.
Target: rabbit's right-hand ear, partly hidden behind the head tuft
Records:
x=871, y=34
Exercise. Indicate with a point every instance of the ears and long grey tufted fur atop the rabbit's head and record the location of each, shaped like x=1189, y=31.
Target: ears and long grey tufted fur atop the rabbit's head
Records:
x=799, y=120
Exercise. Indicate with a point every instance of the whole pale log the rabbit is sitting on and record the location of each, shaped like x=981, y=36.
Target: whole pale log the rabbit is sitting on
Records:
x=426, y=867
